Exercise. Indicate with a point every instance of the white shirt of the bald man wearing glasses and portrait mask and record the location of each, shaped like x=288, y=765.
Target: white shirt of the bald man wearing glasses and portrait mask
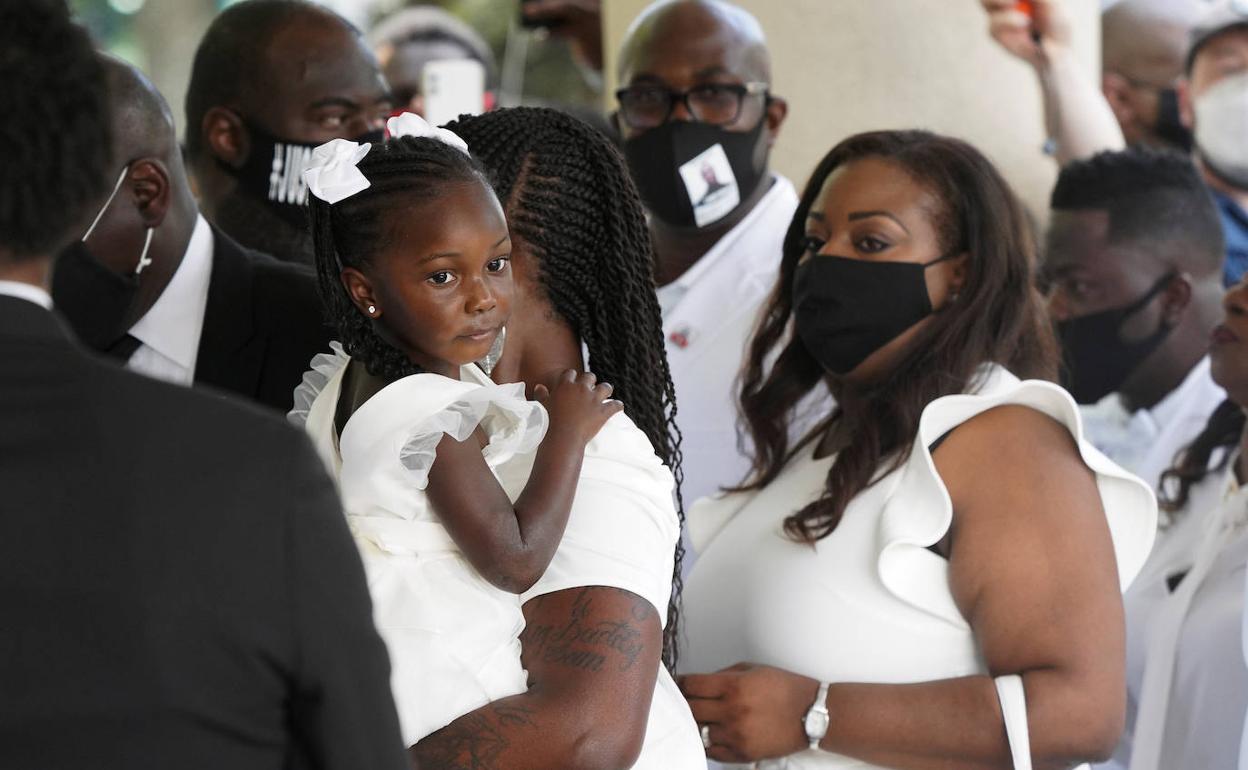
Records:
x=708, y=318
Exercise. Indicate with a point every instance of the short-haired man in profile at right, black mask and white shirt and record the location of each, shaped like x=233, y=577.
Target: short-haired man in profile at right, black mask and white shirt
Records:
x=1135, y=270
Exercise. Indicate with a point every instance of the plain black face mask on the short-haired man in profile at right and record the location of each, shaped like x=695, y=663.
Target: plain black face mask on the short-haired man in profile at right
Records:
x=1096, y=360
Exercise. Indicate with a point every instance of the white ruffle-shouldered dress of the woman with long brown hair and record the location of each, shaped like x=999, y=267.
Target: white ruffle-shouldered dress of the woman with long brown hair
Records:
x=870, y=603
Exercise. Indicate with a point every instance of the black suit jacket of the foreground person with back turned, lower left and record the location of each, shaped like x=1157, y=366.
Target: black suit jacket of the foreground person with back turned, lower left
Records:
x=178, y=585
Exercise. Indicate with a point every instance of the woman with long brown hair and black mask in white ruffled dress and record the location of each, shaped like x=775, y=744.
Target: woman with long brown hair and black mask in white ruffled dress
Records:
x=933, y=577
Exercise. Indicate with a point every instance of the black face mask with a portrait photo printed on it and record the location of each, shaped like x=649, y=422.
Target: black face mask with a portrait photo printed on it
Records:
x=695, y=175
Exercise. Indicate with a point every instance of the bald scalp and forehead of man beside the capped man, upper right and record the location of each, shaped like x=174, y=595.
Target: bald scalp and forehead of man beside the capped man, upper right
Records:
x=1146, y=41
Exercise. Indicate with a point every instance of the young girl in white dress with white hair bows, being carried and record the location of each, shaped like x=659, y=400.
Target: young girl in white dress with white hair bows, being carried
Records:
x=414, y=256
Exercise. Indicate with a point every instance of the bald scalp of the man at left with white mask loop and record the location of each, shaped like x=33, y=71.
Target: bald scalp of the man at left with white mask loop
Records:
x=143, y=124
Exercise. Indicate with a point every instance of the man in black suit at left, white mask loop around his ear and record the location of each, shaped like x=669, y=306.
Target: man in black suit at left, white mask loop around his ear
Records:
x=154, y=285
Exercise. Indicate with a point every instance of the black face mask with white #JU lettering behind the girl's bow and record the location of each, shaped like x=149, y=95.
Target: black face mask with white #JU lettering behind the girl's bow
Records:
x=274, y=172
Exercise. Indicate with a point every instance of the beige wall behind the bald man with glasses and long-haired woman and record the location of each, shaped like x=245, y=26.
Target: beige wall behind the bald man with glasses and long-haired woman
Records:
x=853, y=66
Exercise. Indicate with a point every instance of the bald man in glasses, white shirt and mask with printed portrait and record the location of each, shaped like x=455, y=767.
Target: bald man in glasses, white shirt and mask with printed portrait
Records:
x=700, y=122
